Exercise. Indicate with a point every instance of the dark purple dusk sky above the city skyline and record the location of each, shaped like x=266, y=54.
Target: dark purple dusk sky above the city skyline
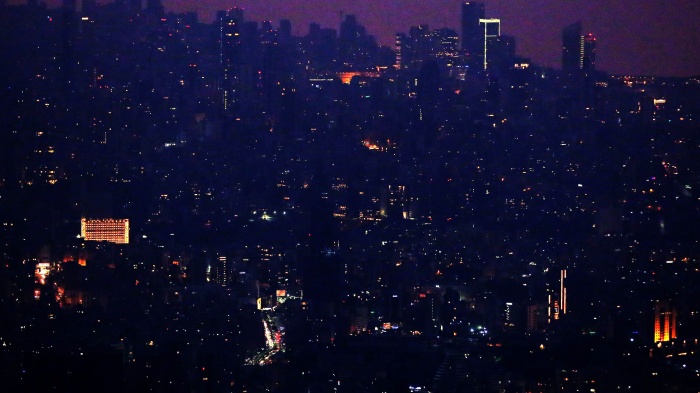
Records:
x=638, y=37
